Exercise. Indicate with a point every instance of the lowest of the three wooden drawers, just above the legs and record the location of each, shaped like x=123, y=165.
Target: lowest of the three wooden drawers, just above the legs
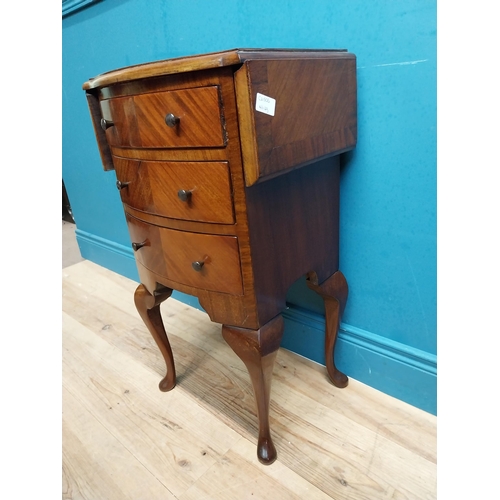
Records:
x=171, y=253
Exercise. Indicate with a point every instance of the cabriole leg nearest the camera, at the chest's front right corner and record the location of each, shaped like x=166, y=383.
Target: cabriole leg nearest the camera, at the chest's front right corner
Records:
x=258, y=349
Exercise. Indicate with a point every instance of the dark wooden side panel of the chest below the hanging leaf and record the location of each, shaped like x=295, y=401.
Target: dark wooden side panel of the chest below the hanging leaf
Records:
x=302, y=233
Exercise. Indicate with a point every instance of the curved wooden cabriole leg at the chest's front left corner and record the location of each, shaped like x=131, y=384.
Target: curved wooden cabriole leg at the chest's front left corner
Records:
x=149, y=309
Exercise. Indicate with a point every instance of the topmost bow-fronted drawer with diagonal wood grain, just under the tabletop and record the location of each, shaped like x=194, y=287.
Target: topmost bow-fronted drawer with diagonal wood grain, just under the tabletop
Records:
x=140, y=121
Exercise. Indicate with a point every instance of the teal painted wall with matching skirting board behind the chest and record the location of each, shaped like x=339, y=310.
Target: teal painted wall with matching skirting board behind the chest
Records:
x=388, y=184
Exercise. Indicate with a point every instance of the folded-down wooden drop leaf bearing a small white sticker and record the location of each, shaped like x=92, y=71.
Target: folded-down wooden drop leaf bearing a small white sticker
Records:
x=315, y=113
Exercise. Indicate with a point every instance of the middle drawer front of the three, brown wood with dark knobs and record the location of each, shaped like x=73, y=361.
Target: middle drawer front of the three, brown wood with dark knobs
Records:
x=196, y=191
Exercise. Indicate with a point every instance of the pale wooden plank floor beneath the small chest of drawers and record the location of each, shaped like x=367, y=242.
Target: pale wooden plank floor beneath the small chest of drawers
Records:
x=124, y=439
